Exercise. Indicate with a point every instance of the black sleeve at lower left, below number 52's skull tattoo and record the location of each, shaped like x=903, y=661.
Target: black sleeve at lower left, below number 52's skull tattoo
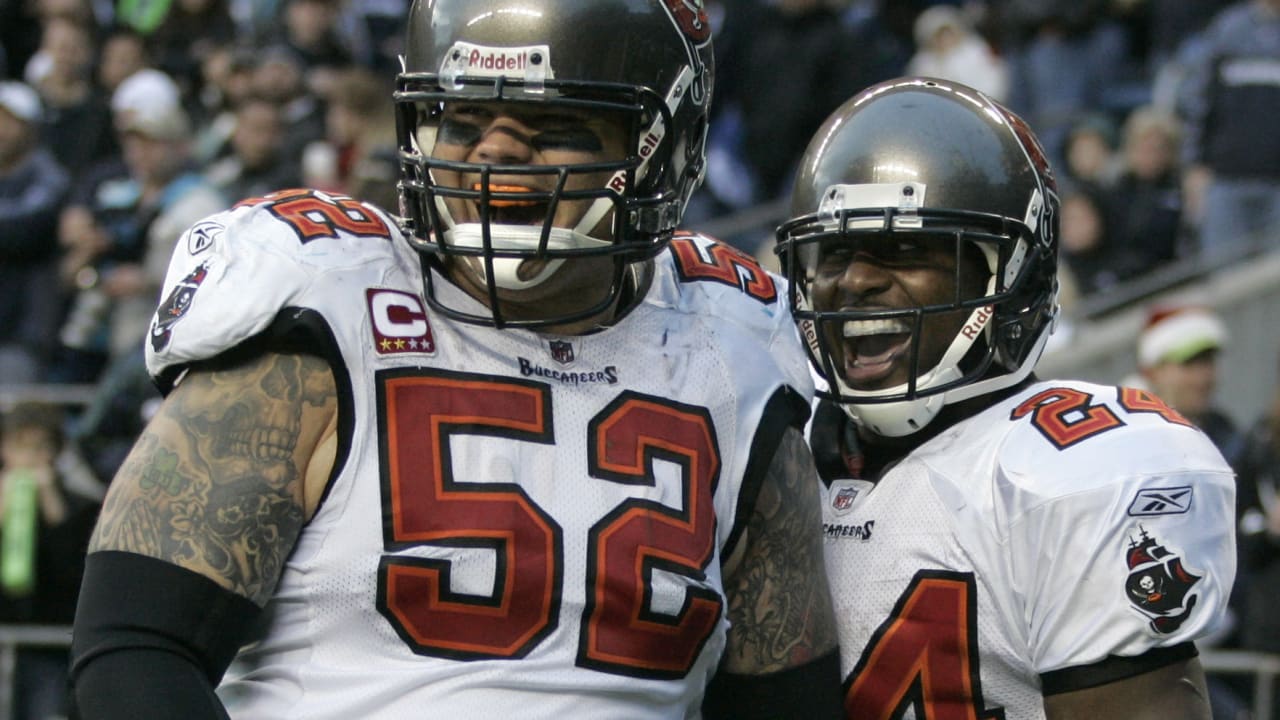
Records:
x=153, y=640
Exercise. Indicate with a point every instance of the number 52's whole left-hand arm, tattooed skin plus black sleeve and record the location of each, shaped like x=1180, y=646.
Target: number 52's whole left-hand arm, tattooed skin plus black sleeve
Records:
x=195, y=532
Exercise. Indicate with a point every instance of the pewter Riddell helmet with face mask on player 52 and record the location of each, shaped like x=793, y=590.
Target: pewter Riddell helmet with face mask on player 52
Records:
x=647, y=61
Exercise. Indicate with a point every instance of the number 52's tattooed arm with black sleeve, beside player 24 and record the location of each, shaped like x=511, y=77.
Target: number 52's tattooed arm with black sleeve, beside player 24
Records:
x=781, y=658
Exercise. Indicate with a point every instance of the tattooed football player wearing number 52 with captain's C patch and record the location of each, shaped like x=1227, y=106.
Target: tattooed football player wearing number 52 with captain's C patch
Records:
x=508, y=463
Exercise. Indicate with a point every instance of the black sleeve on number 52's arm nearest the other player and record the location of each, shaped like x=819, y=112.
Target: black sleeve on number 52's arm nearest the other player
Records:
x=807, y=692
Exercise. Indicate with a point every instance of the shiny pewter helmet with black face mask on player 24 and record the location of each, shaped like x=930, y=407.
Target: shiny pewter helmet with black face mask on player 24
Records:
x=935, y=160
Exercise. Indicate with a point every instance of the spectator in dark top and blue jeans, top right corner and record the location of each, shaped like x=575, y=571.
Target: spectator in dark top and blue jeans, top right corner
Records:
x=1232, y=152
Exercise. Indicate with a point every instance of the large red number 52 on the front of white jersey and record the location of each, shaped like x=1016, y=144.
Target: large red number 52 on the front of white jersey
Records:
x=426, y=505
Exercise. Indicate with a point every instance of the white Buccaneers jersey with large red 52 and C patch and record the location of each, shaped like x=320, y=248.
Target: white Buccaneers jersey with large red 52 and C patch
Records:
x=519, y=526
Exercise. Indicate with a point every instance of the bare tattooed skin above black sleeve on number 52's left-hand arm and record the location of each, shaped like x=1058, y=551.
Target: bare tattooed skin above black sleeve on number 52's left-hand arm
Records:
x=218, y=481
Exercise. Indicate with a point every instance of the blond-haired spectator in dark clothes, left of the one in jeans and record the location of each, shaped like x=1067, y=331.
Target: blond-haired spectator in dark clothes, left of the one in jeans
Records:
x=1146, y=200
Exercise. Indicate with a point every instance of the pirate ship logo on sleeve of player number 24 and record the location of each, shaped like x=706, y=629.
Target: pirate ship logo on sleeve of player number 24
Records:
x=1159, y=586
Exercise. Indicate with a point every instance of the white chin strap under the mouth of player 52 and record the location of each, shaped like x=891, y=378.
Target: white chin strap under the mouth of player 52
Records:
x=506, y=271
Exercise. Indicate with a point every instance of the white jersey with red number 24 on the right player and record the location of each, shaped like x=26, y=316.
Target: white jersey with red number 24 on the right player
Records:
x=1066, y=525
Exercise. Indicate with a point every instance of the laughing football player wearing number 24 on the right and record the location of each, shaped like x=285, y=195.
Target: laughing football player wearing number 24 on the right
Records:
x=999, y=546
